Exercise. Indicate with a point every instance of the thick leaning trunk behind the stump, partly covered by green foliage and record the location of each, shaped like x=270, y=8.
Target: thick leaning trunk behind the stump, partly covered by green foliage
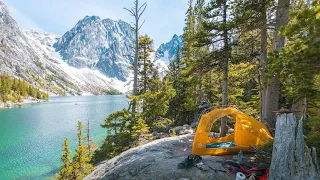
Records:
x=273, y=85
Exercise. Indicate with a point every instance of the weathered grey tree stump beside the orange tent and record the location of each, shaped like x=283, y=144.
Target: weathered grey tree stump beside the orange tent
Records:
x=291, y=158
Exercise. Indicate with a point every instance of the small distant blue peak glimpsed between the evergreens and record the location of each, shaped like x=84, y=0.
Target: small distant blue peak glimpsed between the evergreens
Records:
x=167, y=51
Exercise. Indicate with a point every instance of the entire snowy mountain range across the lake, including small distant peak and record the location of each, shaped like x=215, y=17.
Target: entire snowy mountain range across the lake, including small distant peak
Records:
x=91, y=58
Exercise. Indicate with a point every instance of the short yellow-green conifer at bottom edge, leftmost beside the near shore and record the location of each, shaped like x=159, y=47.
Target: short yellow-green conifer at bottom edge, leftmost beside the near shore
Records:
x=66, y=168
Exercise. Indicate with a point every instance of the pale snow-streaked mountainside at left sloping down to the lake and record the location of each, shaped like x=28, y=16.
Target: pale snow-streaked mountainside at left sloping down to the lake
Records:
x=29, y=55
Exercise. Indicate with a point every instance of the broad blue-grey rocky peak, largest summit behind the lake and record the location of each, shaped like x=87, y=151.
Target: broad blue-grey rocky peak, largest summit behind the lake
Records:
x=97, y=43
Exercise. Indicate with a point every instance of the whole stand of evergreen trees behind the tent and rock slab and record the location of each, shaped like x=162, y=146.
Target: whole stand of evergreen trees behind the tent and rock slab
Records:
x=256, y=55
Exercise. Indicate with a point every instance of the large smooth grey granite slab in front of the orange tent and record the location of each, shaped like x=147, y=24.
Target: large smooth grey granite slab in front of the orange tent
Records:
x=158, y=160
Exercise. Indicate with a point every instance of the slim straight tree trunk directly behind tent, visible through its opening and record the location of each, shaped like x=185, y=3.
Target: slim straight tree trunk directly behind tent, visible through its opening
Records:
x=223, y=127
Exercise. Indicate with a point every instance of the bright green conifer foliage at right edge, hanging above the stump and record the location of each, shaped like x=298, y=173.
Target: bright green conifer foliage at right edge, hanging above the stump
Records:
x=298, y=61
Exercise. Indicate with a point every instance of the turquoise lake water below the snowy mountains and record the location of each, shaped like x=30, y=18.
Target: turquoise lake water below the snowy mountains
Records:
x=31, y=137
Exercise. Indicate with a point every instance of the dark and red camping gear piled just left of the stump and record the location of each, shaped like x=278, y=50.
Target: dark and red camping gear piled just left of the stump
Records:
x=259, y=170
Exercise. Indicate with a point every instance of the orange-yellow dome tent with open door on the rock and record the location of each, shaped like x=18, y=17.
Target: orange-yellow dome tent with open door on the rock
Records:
x=248, y=133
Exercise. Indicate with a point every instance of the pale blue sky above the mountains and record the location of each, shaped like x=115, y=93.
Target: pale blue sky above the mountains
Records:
x=164, y=18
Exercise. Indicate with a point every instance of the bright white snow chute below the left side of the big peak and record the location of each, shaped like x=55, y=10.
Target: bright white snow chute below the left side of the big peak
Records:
x=88, y=80
